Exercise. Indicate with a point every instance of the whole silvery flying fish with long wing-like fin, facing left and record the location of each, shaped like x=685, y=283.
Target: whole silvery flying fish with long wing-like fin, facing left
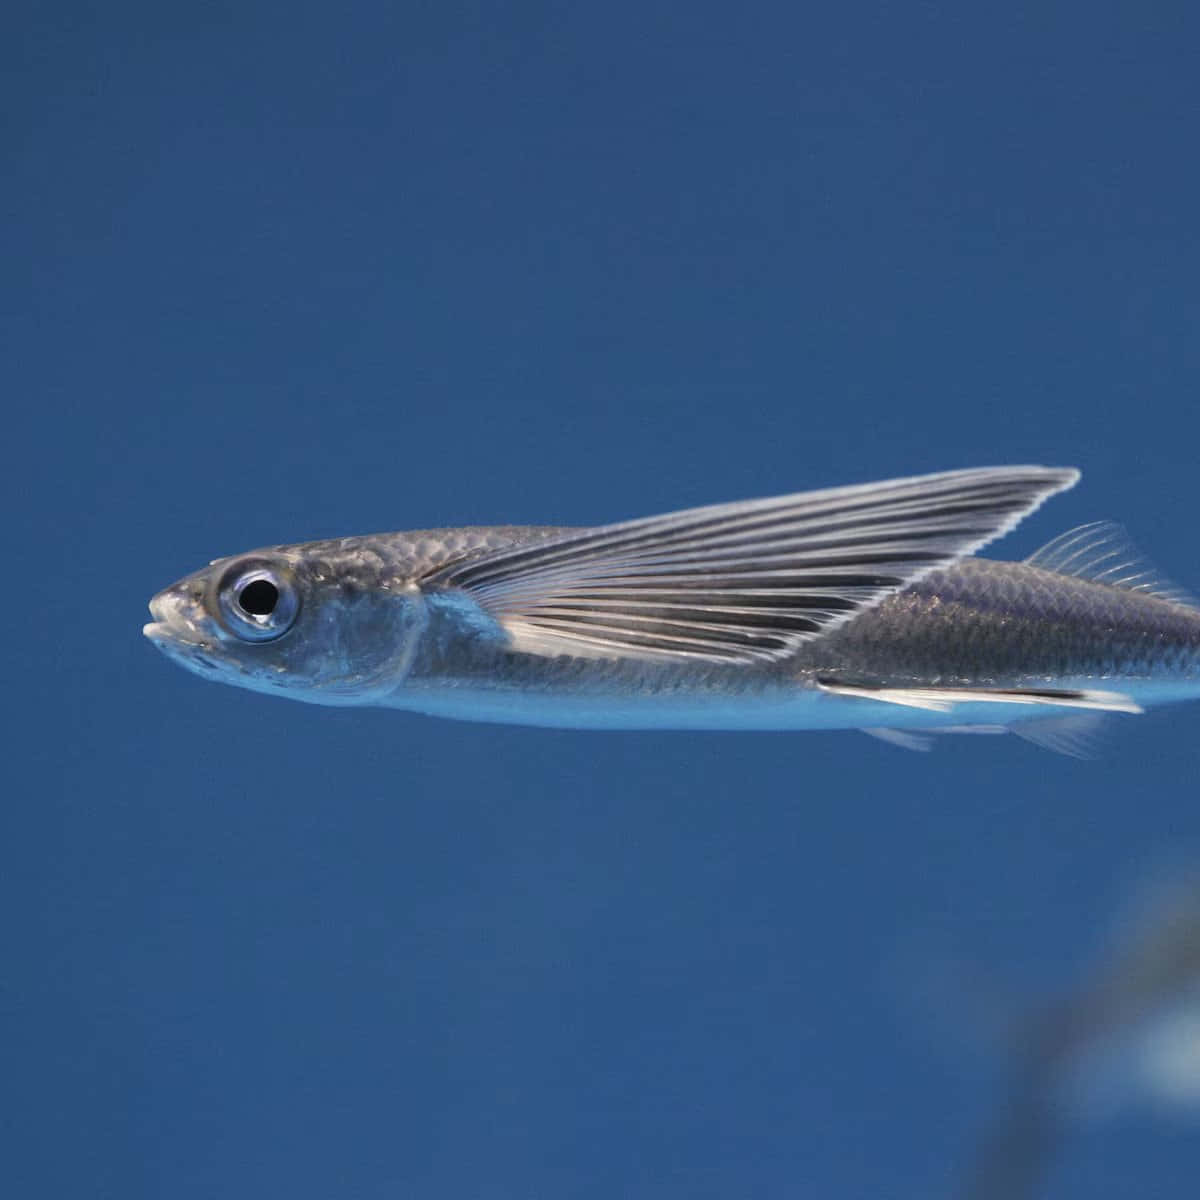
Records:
x=859, y=608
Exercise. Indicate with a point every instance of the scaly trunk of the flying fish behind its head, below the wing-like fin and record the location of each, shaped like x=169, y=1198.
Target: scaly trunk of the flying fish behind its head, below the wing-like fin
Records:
x=980, y=623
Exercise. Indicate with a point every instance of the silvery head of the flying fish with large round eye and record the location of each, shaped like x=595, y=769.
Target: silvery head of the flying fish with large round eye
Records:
x=322, y=628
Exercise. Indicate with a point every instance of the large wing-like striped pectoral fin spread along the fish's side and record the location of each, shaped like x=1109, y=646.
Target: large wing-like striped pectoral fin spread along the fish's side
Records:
x=745, y=583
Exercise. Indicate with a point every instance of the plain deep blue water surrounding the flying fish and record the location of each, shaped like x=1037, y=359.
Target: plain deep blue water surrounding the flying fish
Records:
x=286, y=272
